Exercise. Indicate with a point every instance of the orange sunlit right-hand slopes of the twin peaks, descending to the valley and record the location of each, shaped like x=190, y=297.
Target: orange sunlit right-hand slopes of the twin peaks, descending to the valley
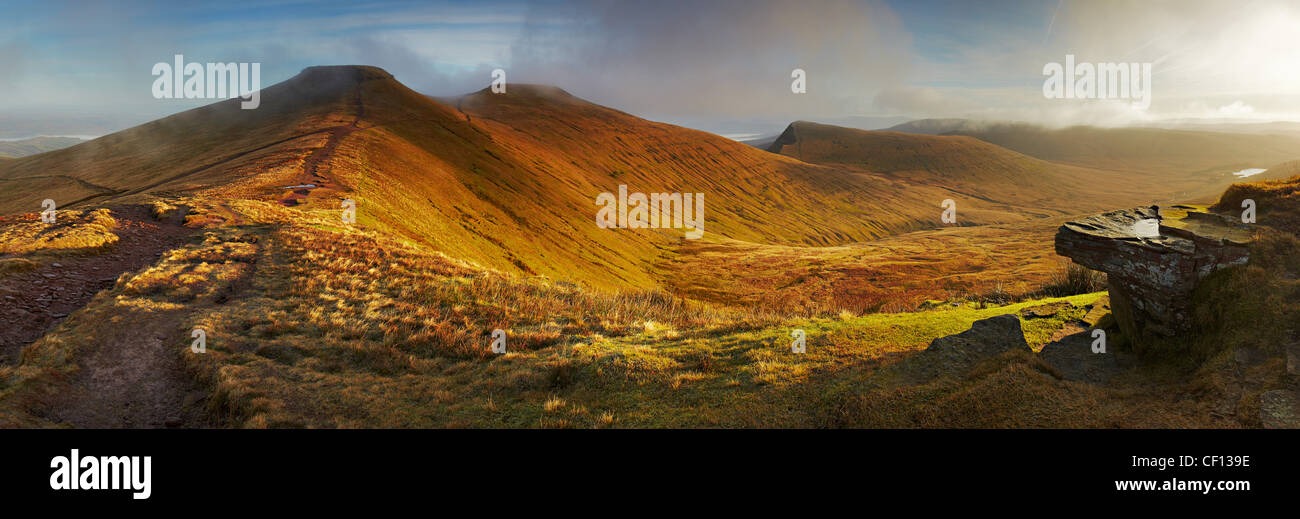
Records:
x=510, y=181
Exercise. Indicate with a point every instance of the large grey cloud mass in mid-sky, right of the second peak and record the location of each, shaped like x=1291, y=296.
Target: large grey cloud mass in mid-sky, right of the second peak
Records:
x=723, y=58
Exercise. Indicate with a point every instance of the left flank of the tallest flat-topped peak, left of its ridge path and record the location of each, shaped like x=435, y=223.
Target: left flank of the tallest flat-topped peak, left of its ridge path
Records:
x=207, y=146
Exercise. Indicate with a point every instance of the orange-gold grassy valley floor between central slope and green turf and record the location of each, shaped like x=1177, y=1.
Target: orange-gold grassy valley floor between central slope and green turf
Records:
x=890, y=275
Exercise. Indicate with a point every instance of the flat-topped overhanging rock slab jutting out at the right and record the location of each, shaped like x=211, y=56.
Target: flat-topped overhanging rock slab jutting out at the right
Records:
x=1155, y=258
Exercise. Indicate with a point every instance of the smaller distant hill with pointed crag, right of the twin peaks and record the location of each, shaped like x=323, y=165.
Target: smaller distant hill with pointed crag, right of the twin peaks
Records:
x=967, y=166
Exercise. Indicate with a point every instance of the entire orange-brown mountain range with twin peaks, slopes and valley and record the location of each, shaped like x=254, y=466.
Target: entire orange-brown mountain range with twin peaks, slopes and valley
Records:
x=510, y=181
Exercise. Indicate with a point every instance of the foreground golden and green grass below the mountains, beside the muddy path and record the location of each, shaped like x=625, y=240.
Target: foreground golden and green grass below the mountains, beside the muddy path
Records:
x=313, y=325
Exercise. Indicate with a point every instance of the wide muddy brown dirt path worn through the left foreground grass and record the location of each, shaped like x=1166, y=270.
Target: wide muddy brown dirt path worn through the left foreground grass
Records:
x=132, y=377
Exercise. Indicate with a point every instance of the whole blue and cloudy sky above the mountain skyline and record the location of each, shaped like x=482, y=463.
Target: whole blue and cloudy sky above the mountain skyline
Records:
x=75, y=68
